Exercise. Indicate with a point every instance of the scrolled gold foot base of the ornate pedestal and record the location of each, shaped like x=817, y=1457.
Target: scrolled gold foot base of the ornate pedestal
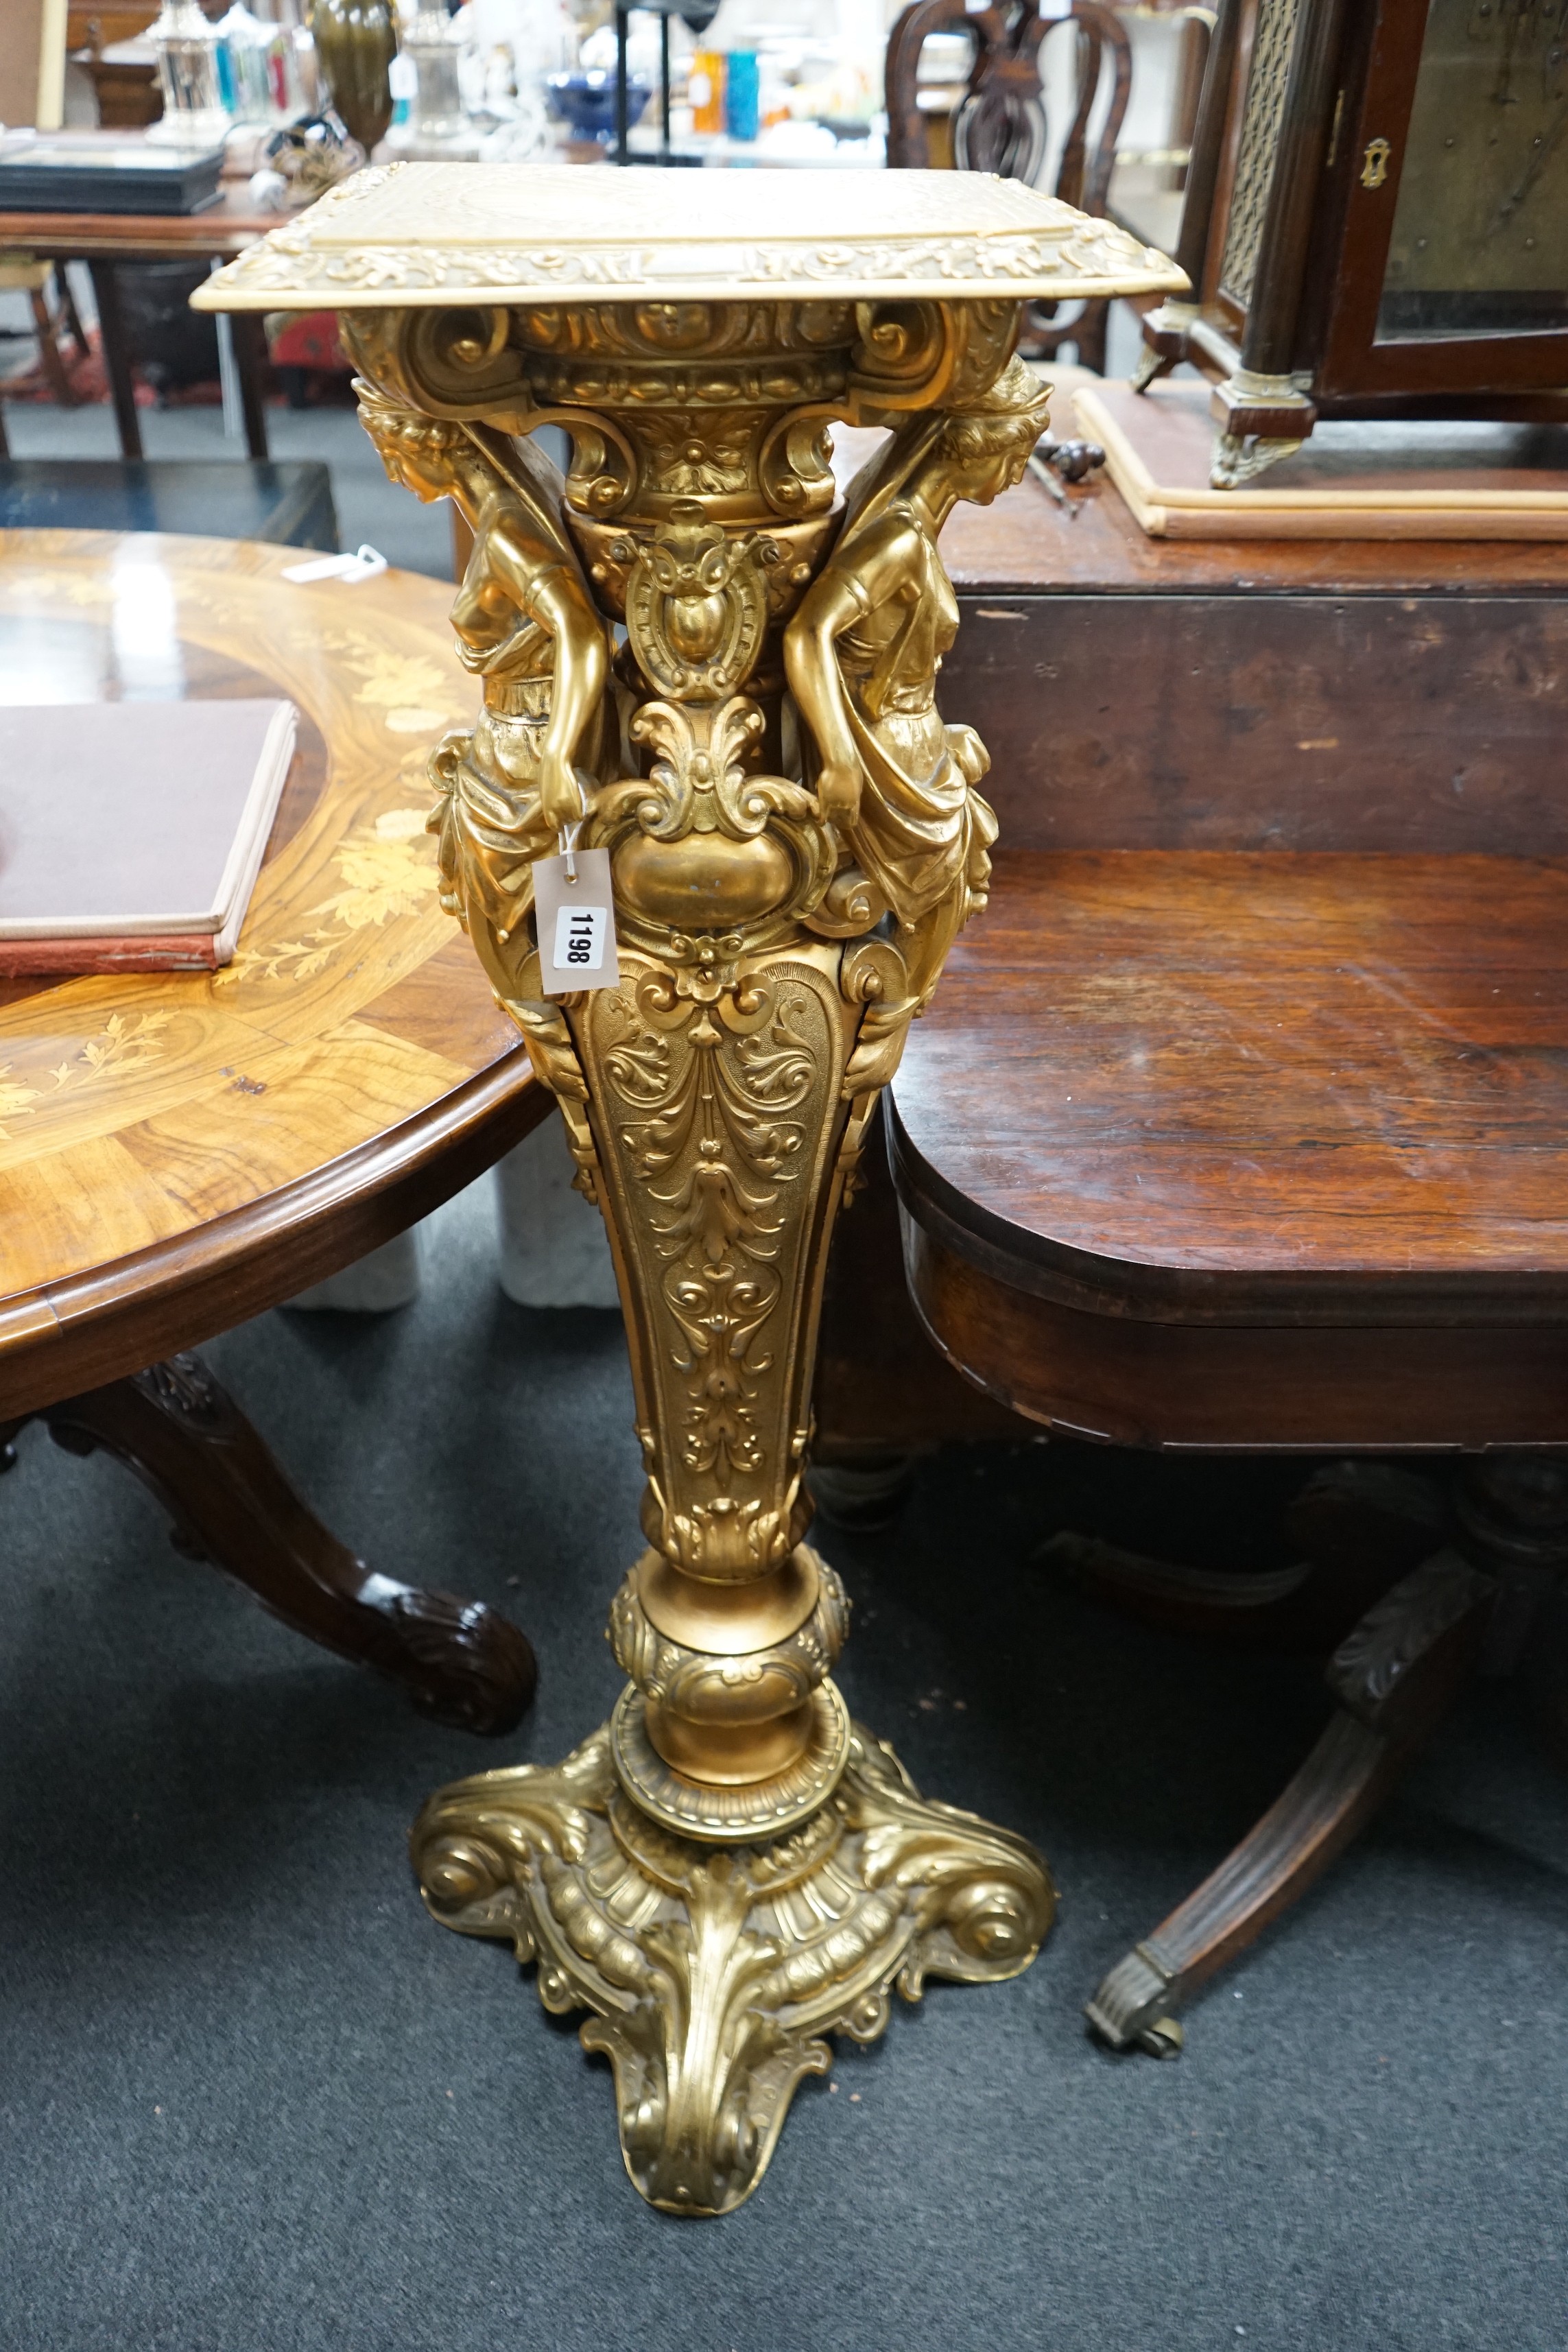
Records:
x=713, y=1972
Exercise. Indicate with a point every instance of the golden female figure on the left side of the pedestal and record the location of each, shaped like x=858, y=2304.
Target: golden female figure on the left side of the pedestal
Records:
x=528, y=627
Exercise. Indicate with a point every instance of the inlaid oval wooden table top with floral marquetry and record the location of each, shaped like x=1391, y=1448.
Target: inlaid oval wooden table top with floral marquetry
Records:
x=180, y=1151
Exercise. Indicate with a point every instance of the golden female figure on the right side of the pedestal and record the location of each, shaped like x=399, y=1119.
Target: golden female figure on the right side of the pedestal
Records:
x=862, y=657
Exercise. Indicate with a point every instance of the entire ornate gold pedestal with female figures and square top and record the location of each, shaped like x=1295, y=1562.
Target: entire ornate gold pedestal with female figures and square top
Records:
x=723, y=676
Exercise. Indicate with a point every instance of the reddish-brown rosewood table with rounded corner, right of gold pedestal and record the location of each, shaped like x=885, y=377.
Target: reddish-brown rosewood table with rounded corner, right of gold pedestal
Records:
x=1242, y=1118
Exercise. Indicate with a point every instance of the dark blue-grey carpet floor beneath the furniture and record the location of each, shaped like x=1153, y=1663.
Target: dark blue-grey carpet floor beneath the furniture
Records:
x=255, y=2099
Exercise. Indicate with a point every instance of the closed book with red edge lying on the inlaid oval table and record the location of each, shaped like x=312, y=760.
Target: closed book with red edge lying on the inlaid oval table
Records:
x=133, y=834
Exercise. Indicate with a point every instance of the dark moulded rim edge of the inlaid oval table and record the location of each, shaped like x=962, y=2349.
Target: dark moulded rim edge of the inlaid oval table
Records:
x=119, y=1318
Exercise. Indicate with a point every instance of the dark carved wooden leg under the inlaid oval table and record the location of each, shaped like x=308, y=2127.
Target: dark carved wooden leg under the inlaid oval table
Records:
x=185, y=1438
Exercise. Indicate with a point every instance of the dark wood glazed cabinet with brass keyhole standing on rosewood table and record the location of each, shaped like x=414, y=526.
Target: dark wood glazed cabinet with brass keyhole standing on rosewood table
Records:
x=1376, y=220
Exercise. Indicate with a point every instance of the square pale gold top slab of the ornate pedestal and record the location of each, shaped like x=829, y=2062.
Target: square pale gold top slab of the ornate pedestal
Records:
x=422, y=234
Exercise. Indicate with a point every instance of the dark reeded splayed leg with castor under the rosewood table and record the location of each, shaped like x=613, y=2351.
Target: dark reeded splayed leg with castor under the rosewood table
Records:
x=1395, y=1678
